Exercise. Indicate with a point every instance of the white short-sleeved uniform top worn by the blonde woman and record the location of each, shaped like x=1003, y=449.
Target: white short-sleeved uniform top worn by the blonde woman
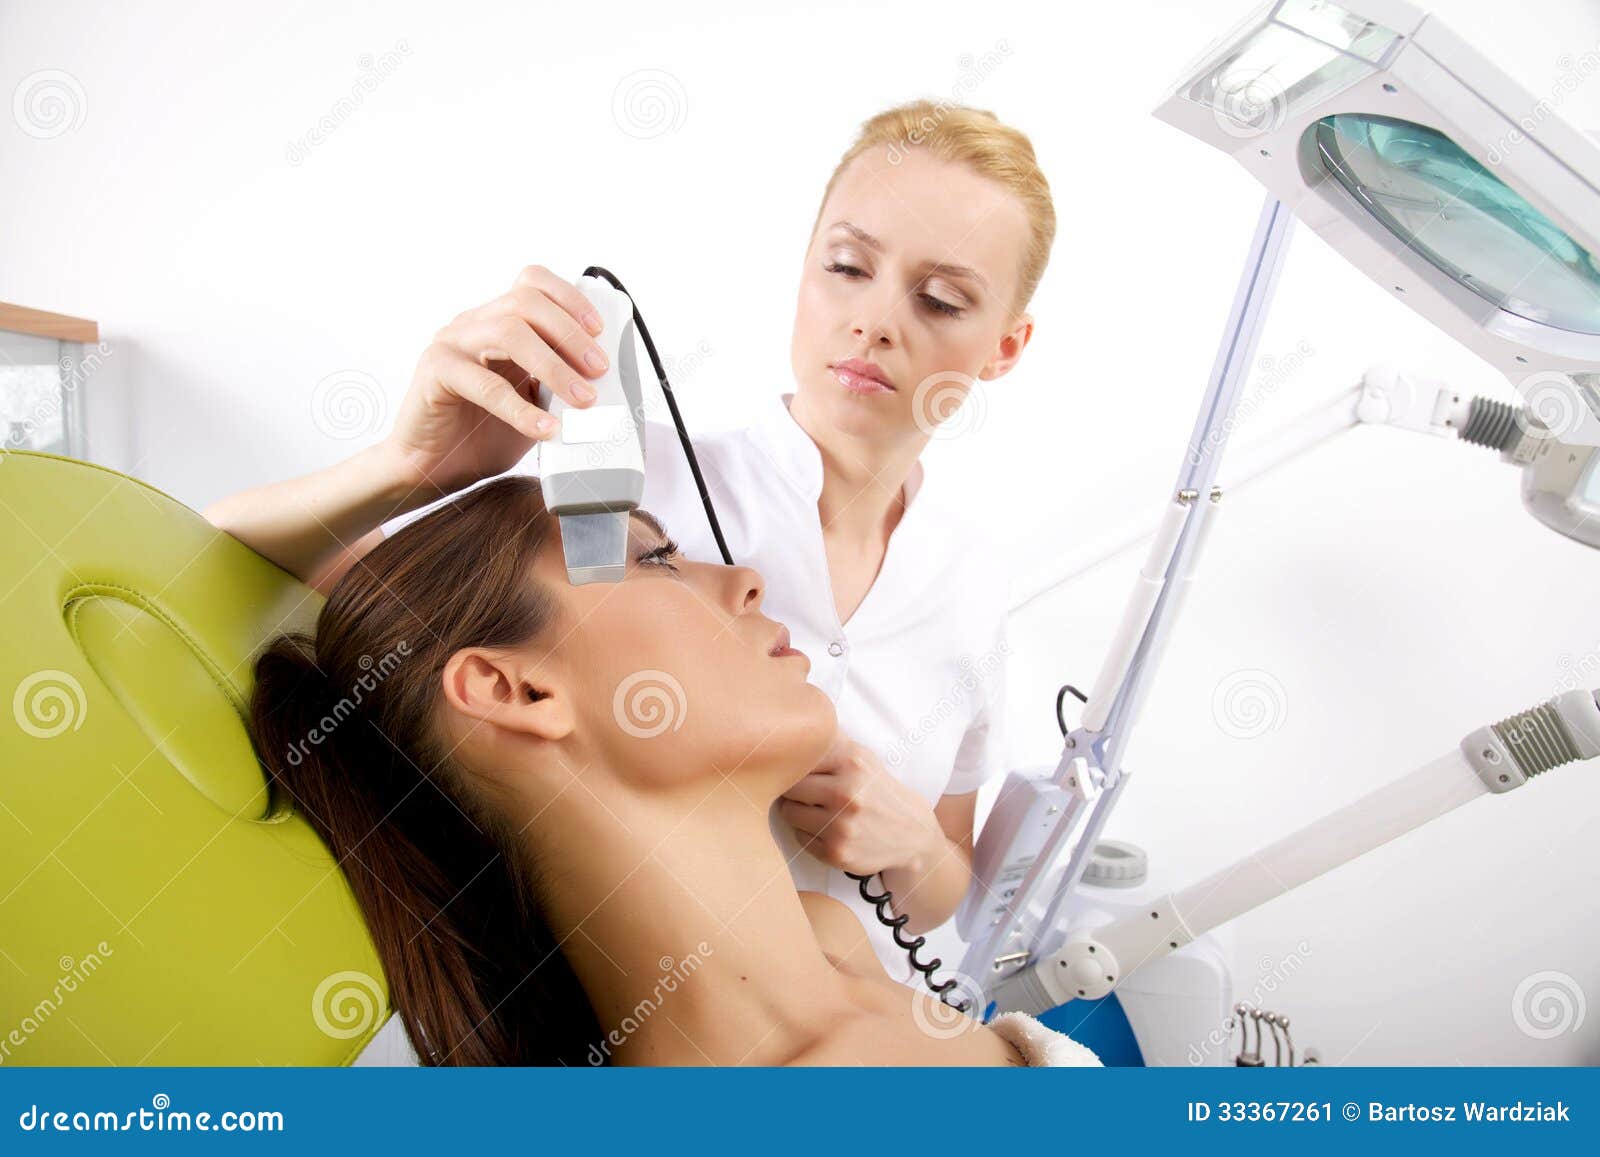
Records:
x=918, y=675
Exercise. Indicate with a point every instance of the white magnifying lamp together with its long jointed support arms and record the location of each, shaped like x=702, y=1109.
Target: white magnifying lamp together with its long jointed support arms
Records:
x=1473, y=204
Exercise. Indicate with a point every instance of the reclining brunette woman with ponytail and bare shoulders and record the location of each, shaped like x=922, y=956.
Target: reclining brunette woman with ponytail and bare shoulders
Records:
x=551, y=804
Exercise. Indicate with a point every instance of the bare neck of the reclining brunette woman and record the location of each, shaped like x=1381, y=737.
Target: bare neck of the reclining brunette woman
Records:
x=686, y=931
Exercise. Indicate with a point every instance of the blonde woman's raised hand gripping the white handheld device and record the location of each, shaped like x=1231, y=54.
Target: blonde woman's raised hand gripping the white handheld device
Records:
x=470, y=414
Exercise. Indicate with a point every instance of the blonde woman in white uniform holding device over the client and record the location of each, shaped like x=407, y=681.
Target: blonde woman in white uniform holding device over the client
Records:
x=929, y=244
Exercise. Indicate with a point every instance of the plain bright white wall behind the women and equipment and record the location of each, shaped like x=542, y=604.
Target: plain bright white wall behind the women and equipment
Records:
x=1390, y=585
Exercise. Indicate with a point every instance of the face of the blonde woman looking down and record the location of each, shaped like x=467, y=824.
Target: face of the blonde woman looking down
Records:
x=914, y=268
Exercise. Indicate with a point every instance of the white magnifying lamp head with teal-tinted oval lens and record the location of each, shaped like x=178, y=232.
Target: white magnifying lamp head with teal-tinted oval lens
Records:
x=1450, y=186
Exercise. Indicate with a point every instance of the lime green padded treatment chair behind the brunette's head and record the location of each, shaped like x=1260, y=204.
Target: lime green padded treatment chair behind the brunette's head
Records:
x=159, y=905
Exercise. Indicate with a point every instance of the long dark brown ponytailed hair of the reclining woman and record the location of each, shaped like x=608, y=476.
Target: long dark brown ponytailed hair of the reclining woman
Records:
x=346, y=724
